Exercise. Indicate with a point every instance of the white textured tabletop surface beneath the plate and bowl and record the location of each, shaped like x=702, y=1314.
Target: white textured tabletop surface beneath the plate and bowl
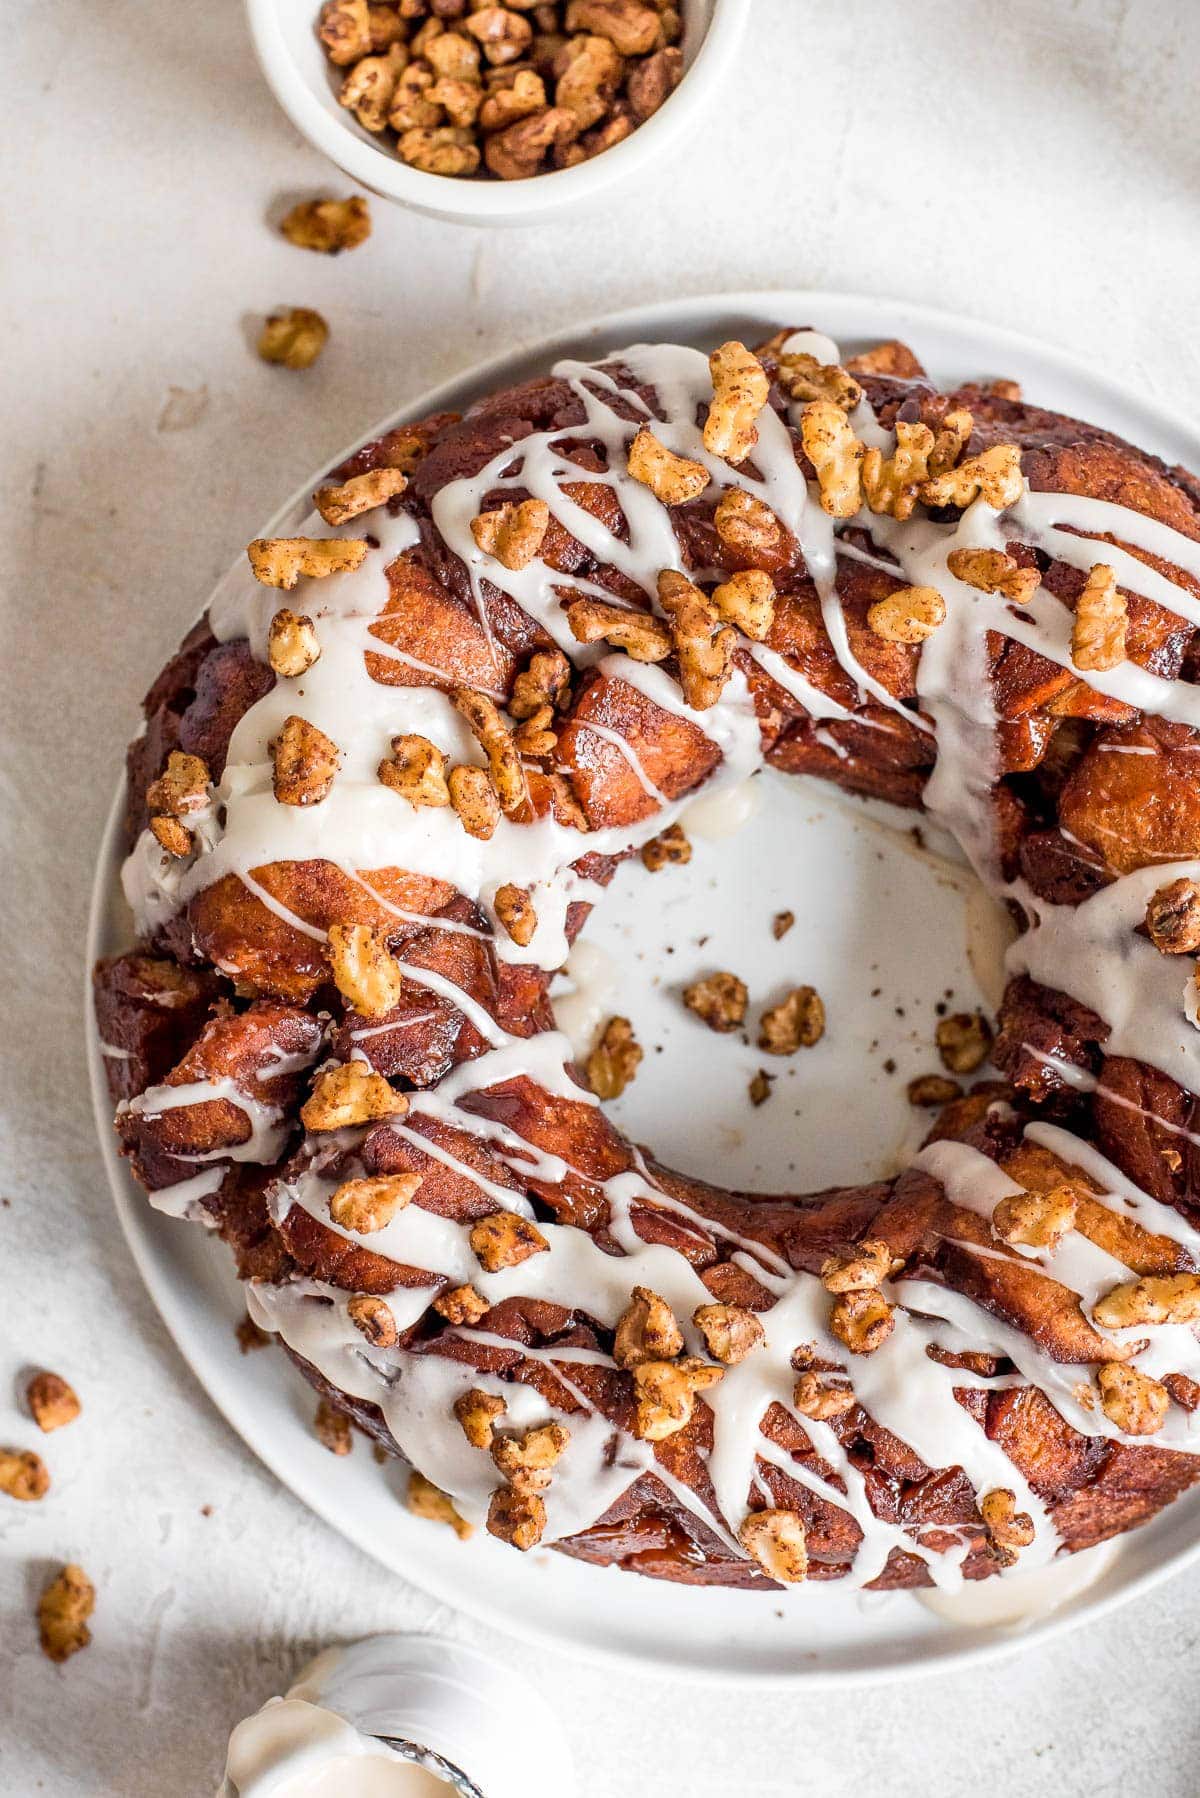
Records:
x=1035, y=165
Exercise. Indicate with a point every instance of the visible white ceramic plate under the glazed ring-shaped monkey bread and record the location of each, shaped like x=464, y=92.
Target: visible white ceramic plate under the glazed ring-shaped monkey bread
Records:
x=882, y=930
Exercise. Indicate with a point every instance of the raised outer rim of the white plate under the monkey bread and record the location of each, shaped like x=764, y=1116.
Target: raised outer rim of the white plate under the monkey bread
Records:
x=994, y=1642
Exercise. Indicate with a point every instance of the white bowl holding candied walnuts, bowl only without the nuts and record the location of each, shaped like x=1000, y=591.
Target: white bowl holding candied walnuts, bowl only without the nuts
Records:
x=305, y=84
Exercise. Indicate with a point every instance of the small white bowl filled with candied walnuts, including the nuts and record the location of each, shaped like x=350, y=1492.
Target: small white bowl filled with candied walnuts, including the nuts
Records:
x=494, y=114
